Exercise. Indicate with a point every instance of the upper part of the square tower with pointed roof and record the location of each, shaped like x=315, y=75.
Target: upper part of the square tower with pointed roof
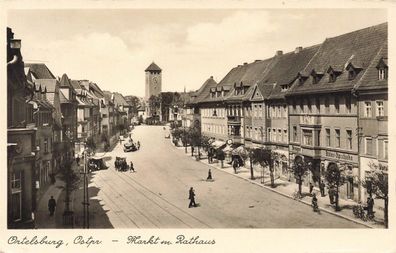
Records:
x=153, y=81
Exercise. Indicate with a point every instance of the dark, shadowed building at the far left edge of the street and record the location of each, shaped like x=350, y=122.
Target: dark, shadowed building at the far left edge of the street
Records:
x=21, y=146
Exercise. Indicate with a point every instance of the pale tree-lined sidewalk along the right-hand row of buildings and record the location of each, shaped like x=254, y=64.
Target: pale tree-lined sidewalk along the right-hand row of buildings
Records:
x=287, y=189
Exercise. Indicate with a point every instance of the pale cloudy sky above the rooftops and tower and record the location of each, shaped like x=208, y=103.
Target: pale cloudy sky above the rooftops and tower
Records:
x=113, y=47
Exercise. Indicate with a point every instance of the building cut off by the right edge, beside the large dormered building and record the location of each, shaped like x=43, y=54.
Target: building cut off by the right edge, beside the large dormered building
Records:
x=372, y=101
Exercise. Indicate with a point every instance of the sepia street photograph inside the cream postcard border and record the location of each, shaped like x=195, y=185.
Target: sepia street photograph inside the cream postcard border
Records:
x=197, y=119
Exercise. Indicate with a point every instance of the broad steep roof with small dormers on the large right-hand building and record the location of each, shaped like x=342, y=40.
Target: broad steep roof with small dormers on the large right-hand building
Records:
x=359, y=48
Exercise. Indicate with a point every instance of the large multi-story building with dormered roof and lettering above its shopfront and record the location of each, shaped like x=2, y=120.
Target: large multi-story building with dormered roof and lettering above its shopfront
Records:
x=323, y=114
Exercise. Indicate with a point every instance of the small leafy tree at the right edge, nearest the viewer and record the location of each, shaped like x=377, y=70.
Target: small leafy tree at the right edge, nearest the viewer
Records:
x=376, y=184
